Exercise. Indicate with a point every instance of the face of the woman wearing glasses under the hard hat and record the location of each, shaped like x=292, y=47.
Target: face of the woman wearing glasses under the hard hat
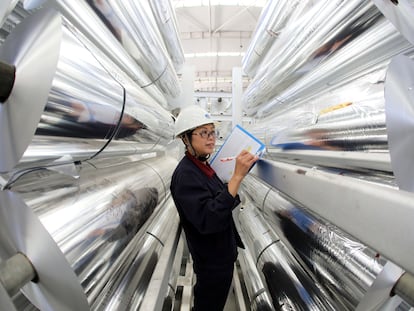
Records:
x=203, y=139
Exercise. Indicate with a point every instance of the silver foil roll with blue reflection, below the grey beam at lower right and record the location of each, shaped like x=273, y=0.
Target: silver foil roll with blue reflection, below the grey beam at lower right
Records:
x=347, y=267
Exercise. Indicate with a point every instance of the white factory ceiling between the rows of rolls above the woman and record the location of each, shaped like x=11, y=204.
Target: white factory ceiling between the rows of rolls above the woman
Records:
x=215, y=34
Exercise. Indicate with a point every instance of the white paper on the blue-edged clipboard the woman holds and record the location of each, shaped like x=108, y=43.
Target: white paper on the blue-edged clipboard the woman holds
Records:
x=238, y=140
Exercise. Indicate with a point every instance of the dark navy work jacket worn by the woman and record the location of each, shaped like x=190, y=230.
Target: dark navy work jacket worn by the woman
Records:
x=205, y=208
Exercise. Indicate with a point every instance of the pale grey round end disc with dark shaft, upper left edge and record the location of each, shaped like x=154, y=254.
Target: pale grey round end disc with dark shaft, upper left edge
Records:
x=28, y=88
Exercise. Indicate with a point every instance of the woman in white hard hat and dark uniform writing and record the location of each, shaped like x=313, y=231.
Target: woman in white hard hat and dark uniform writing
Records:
x=205, y=206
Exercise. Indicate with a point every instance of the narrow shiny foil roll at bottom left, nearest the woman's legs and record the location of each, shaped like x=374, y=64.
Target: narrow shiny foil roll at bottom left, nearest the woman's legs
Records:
x=126, y=290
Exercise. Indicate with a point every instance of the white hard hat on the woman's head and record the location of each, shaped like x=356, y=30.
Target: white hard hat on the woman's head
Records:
x=190, y=118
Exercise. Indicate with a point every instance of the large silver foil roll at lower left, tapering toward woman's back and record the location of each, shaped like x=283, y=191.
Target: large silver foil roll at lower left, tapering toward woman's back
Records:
x=93, y=218
